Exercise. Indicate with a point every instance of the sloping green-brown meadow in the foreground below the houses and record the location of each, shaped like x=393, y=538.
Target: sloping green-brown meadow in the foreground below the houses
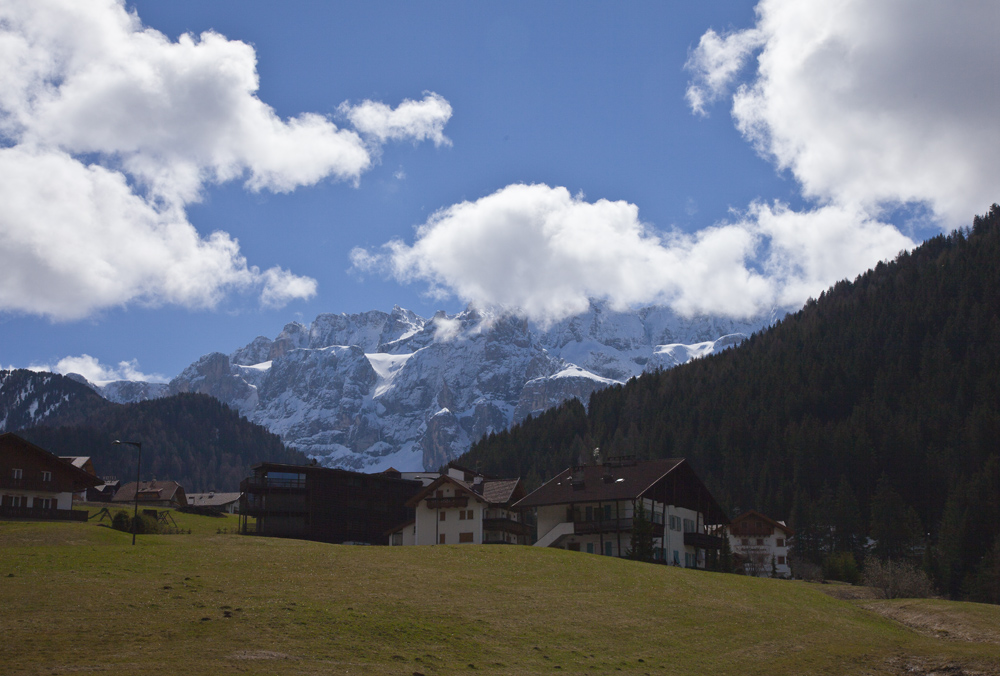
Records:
x=78, y=596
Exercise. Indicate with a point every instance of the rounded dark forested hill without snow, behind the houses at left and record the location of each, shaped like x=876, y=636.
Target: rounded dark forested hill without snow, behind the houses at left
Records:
x=191, y=438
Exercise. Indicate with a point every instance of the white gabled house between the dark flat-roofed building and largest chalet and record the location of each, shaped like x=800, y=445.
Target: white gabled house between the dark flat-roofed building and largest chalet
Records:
x=464, y=507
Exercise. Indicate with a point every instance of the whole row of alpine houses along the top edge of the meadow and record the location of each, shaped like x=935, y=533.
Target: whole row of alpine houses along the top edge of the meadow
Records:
x=594, y=508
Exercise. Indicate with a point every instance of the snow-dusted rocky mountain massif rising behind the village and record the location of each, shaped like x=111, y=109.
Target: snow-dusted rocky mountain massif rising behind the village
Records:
x=373, y=390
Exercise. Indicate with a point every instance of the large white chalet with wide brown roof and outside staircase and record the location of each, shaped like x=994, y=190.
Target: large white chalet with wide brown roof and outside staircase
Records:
x=592, y=508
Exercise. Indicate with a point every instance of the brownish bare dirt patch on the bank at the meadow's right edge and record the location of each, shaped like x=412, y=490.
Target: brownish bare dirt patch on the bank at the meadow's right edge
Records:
x=972, y=622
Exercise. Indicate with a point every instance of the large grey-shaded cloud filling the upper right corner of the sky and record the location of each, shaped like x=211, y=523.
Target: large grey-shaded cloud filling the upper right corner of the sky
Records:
x=871, y=103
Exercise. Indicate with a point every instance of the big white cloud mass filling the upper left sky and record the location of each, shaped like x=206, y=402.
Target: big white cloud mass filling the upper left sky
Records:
x=108, y=130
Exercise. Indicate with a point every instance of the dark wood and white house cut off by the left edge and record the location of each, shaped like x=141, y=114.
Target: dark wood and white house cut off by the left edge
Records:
x=36, y=484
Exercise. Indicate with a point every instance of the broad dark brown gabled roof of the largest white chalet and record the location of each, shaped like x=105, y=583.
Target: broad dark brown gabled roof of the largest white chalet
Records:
x=669, y=480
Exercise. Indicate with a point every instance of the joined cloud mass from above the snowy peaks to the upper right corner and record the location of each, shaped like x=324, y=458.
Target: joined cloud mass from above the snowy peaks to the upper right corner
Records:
x=870, y=105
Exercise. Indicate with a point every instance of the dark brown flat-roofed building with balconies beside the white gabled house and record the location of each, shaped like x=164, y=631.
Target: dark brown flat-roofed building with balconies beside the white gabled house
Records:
x=324, y=504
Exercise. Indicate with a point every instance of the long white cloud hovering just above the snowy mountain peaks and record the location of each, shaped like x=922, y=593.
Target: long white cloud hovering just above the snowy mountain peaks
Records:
x=540, y=250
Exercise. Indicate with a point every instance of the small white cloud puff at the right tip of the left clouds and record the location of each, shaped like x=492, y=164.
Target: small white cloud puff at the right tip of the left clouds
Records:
x=417, y=120
